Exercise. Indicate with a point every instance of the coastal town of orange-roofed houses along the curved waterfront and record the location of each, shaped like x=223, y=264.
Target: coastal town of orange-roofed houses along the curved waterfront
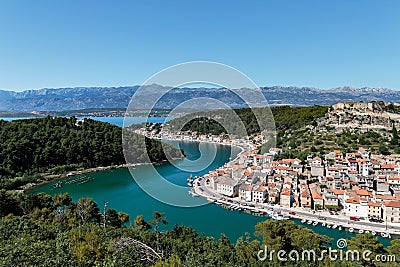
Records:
x=356, y=191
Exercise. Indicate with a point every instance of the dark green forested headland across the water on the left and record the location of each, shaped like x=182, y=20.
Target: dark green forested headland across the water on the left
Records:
x=31, y=148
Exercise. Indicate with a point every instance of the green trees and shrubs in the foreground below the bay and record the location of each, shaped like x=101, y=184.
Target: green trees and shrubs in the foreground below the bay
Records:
x=41, y=230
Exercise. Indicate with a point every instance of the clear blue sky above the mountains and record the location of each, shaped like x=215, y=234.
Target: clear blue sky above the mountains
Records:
x=323, y=44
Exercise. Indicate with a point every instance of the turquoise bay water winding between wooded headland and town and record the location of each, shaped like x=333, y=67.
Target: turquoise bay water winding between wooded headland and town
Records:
x=122, y=193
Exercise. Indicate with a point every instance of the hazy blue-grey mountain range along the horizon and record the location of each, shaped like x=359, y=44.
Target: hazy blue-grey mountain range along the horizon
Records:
x=119, y=97
